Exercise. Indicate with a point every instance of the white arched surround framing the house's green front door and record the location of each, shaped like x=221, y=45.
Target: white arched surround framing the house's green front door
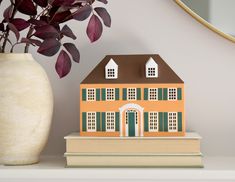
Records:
x=131, y=106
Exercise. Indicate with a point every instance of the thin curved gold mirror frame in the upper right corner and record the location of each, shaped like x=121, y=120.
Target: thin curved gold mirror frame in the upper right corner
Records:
x=204, y=22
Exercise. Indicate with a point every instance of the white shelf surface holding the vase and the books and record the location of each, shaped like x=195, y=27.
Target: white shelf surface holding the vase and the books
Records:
x=53, y=169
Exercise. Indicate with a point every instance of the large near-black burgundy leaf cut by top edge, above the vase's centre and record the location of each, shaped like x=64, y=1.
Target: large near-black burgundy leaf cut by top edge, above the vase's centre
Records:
x=26, y=7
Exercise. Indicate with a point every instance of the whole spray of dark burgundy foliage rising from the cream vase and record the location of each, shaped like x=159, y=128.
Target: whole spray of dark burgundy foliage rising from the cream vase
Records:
x=45, y=29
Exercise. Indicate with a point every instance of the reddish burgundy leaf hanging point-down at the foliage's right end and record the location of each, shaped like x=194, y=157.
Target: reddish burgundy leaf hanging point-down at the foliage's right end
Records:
x=94, y=28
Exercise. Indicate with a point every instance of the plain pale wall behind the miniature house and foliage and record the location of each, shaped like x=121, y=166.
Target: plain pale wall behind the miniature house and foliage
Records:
x=203, y=59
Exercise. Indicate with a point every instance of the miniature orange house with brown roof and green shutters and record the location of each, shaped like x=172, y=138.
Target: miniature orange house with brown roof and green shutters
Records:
x=132, y=95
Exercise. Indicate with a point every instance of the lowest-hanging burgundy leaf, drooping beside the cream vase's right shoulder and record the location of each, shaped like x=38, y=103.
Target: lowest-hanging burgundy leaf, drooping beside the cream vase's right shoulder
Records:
x=63, y=64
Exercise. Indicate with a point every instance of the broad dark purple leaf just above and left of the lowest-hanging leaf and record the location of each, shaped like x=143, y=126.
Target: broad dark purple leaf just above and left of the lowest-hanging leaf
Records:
x=49, y=47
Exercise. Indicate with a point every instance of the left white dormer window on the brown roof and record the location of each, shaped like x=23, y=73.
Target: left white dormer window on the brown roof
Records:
x=111, y=70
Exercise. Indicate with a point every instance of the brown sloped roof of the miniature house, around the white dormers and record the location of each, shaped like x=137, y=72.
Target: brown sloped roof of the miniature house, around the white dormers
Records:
x=131, y=69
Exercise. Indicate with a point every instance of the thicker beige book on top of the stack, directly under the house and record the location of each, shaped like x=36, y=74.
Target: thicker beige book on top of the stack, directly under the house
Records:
x=190, y=143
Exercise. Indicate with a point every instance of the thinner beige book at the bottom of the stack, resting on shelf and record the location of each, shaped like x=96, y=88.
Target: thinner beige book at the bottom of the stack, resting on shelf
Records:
x=133, y=160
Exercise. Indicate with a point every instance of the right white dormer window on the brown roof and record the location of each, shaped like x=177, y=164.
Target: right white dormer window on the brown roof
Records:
x=151, y=68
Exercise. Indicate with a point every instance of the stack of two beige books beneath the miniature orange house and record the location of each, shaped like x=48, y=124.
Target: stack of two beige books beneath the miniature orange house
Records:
x=133, y=151
